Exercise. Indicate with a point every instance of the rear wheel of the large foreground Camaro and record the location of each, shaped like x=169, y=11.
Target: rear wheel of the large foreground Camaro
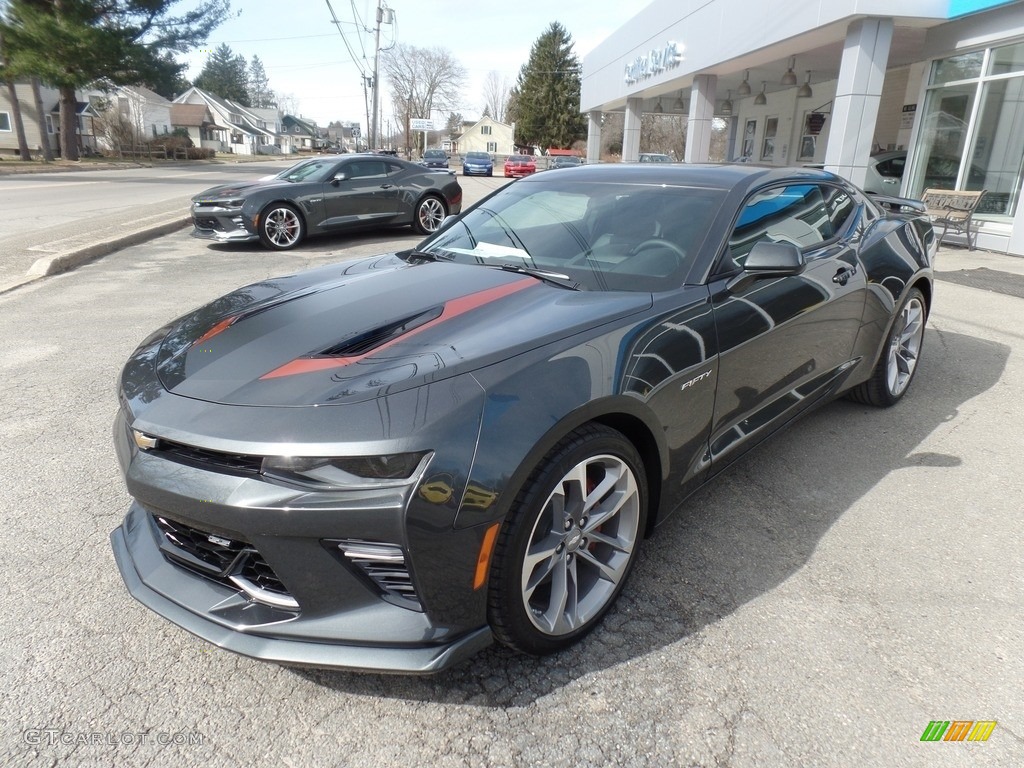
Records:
x=899, y=363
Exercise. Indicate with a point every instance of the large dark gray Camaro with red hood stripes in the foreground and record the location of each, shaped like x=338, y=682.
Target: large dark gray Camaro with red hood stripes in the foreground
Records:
x=386, y=464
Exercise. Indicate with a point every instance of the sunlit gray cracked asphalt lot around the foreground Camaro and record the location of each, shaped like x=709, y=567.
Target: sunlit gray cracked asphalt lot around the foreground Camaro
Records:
x=820, y=605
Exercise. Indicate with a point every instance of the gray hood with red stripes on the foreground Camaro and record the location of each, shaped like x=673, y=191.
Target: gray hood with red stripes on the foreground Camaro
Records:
x=353, y=332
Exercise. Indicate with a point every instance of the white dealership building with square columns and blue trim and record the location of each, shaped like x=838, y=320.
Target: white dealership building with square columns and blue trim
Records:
x=940, y=83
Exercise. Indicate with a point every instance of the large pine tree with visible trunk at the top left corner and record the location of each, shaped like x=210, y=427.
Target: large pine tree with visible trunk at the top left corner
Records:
x=70, y=45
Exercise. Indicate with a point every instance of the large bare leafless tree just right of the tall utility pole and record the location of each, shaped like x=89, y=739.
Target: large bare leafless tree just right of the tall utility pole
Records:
x=423, y=80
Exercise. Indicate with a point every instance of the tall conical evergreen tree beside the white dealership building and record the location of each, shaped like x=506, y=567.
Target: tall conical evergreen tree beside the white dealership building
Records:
x=545, y=103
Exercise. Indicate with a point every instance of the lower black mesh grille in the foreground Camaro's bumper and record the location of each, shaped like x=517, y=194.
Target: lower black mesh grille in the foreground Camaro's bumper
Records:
x=233, y=563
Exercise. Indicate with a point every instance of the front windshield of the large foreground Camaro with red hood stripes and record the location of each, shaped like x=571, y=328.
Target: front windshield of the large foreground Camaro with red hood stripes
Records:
x=603, y=237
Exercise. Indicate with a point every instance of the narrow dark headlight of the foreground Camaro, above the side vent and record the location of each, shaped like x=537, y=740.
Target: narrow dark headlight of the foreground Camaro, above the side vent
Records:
x=348, y=473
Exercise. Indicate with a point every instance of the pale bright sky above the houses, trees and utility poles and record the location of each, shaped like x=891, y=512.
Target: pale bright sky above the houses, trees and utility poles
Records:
x=305, y=56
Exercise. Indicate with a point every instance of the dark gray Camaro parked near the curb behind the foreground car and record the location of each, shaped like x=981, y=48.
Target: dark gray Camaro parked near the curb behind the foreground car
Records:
x=327, y=194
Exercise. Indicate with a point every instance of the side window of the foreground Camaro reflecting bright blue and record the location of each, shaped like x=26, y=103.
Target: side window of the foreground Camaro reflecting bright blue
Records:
x=784, y=215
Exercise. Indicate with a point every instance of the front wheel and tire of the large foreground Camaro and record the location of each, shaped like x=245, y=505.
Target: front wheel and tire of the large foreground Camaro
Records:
x=570, y=543
